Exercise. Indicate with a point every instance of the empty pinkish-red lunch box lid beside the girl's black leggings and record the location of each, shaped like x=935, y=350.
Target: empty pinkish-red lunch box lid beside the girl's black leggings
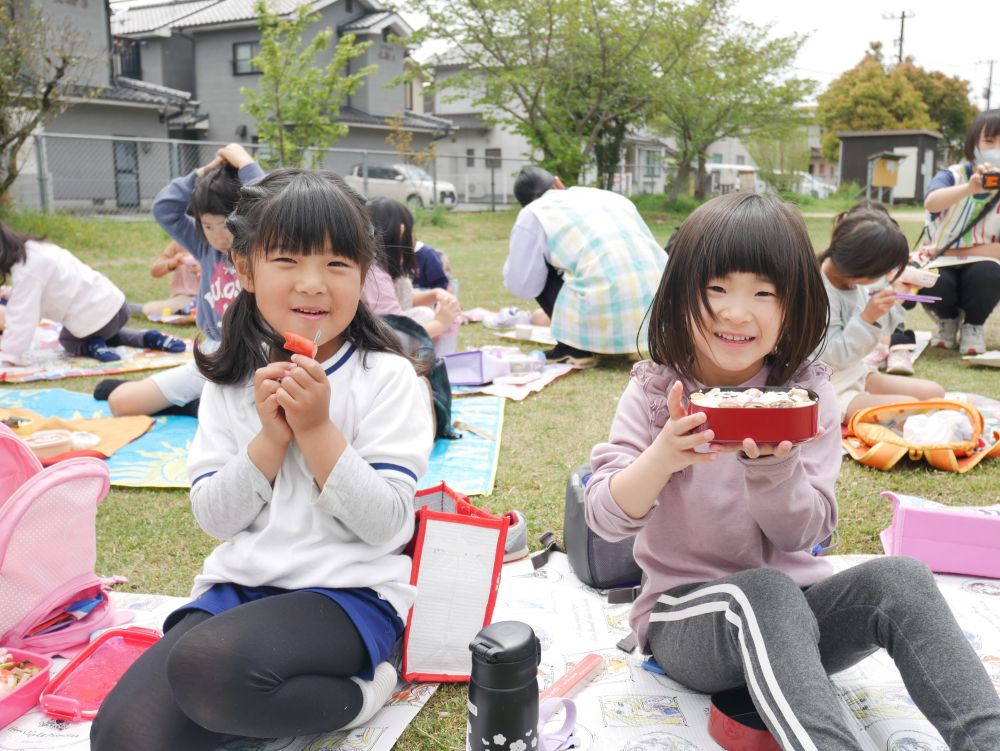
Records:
x=77, y=692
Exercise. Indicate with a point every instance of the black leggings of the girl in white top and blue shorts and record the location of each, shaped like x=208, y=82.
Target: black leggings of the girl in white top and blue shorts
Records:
x=271, y=668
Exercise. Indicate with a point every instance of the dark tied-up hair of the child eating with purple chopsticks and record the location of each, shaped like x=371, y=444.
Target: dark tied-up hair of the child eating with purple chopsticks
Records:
x=866, y=242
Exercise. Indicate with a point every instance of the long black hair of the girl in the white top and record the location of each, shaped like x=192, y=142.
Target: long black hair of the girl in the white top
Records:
x=301, y=212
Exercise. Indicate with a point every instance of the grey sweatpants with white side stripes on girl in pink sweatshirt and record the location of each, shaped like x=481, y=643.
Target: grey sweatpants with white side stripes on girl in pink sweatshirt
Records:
x=758, y=628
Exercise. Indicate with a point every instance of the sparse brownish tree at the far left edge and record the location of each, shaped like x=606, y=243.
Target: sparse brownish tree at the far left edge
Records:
x=41, y=63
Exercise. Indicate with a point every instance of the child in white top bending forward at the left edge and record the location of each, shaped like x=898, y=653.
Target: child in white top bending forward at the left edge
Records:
x=47, y=281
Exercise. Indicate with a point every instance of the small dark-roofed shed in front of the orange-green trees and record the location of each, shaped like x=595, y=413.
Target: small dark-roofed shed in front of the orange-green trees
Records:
x=919, y=147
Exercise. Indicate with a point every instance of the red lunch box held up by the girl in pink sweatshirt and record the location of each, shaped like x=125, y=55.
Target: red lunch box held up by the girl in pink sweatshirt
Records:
x=762, y=424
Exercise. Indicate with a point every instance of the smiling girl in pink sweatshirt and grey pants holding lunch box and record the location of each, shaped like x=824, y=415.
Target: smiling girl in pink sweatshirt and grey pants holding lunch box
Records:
x=733, y=595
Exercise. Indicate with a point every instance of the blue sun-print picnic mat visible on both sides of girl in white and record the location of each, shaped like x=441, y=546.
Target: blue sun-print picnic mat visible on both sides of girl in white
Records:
x=158, y=459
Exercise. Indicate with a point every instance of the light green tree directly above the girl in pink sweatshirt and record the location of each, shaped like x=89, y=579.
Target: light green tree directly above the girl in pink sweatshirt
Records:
x=732, y=83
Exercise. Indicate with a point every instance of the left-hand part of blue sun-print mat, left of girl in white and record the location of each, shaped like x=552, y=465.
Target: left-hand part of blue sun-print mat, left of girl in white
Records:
x=156, y=459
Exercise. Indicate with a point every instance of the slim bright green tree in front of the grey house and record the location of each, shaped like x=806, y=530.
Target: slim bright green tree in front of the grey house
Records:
x=299, y=100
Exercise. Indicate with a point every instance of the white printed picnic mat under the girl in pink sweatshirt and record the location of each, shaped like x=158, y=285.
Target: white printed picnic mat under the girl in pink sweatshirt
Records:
x=627, y=708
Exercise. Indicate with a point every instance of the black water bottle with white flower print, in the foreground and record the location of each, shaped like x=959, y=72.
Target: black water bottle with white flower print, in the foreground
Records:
x=503, y=689
